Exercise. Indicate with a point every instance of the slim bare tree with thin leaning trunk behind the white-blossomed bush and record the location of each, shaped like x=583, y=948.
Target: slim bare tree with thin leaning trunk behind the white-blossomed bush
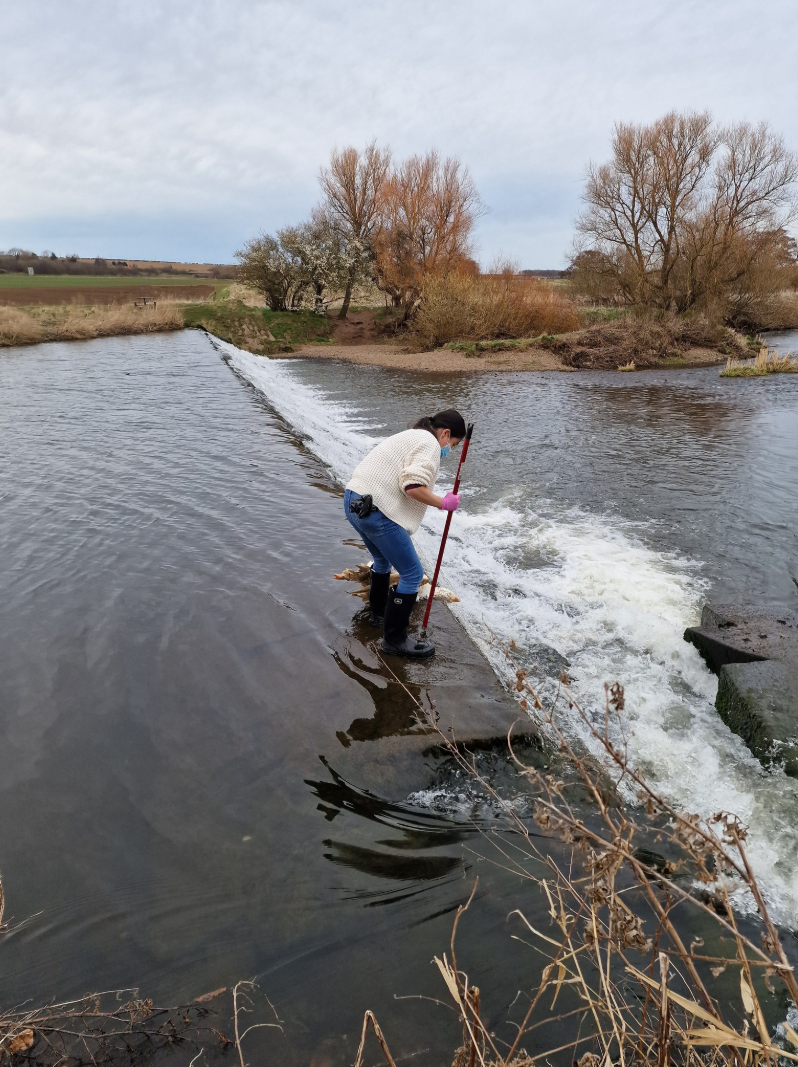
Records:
x=352, y=188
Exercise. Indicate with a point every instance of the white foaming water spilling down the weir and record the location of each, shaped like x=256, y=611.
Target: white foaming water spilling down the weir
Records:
x=616, y=609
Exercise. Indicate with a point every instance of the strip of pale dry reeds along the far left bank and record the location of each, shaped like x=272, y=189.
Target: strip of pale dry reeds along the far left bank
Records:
x=78, y=323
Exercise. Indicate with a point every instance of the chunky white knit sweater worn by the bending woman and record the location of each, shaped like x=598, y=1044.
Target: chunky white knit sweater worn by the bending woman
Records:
x=411, y=458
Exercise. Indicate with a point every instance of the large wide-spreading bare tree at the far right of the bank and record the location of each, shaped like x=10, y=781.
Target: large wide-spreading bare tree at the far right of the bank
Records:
x=685, y=214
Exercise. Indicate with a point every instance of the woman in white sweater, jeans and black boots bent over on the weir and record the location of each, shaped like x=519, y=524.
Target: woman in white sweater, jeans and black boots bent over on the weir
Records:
x=386, y=502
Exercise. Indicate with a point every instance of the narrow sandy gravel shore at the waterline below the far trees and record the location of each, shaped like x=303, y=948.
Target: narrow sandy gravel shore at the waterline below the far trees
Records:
x=445, y=362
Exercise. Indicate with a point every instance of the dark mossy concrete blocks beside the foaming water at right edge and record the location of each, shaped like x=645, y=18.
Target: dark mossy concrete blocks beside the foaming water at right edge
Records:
x=755, y=652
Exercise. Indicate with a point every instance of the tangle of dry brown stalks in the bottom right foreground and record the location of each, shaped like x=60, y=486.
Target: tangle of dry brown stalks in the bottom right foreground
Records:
x=621, y=981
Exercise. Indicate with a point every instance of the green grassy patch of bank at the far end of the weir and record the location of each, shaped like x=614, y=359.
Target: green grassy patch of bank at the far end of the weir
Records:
x=258, y=329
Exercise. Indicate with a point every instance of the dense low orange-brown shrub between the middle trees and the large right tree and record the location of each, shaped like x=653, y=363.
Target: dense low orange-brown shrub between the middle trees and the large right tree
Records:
x=461, y=307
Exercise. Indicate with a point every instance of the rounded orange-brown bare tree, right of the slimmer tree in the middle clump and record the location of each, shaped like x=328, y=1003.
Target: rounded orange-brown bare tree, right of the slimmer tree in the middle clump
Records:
x=428, y=209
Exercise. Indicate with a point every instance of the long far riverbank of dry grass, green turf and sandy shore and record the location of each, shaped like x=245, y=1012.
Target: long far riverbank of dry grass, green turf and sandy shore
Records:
x=625, y=344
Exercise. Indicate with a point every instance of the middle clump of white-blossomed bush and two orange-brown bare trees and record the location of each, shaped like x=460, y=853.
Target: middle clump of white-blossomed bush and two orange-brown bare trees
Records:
x=395, y=224
